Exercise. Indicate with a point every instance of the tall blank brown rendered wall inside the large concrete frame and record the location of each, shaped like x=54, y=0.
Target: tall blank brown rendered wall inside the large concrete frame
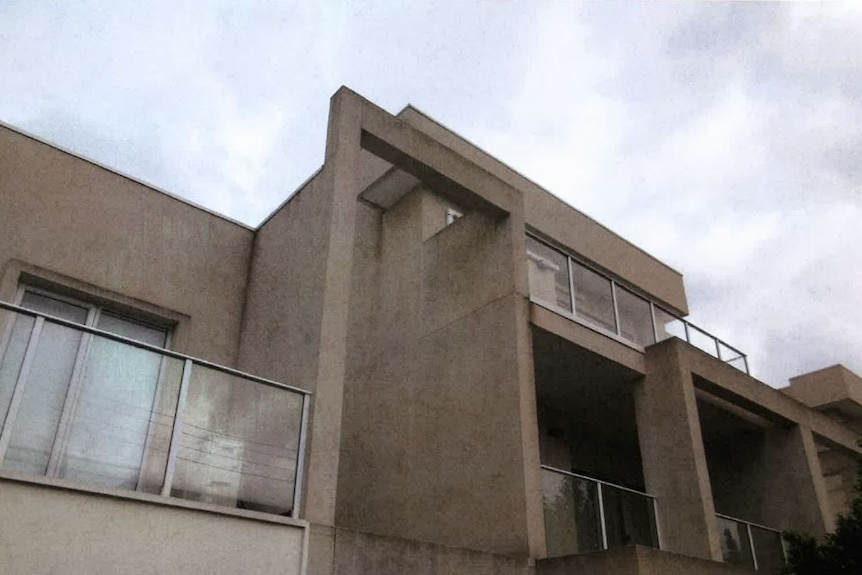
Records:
x=432, y=432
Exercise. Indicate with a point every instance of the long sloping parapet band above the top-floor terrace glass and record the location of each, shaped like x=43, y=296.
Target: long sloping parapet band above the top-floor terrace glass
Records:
x=571, y=228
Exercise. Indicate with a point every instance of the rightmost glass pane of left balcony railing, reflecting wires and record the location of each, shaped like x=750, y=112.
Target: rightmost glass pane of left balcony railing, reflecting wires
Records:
x=239, y=443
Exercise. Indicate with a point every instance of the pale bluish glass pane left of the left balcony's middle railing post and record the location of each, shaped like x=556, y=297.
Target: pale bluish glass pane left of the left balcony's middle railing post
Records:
x=120, y=421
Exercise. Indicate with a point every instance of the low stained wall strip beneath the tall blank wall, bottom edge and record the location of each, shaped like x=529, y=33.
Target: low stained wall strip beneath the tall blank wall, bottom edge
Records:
x=360, y=554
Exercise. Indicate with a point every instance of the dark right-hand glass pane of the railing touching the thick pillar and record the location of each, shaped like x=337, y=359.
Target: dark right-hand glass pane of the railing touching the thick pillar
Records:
x=629, y=518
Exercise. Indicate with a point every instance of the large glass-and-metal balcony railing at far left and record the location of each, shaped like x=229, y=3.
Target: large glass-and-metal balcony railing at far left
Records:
x=90, y=406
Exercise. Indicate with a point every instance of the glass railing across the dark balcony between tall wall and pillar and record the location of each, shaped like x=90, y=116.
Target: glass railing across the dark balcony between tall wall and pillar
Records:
x=583, y=514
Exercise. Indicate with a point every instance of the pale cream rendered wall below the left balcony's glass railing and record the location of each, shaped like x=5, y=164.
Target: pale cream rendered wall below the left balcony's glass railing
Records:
x=46, y=531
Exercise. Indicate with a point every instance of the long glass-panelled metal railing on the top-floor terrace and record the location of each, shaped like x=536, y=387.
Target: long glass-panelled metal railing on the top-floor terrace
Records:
x=565, y=285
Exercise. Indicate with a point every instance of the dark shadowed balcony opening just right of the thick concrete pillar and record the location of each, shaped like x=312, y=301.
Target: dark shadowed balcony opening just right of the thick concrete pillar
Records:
x=737, y=443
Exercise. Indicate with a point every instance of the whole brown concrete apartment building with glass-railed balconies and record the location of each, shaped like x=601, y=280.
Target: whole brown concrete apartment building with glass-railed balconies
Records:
x=420, y=363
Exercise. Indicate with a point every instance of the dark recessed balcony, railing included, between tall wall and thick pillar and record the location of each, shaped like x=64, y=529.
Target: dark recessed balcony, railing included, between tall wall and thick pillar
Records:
x=592, y=478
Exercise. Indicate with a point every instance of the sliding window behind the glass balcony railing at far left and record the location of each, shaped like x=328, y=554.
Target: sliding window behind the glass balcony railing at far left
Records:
x=89, y=408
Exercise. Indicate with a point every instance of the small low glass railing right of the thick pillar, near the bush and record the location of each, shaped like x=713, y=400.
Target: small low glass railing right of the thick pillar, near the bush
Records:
x=751, y=545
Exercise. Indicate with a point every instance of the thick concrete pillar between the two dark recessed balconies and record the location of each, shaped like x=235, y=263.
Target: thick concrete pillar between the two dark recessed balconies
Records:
x=674, y=461
